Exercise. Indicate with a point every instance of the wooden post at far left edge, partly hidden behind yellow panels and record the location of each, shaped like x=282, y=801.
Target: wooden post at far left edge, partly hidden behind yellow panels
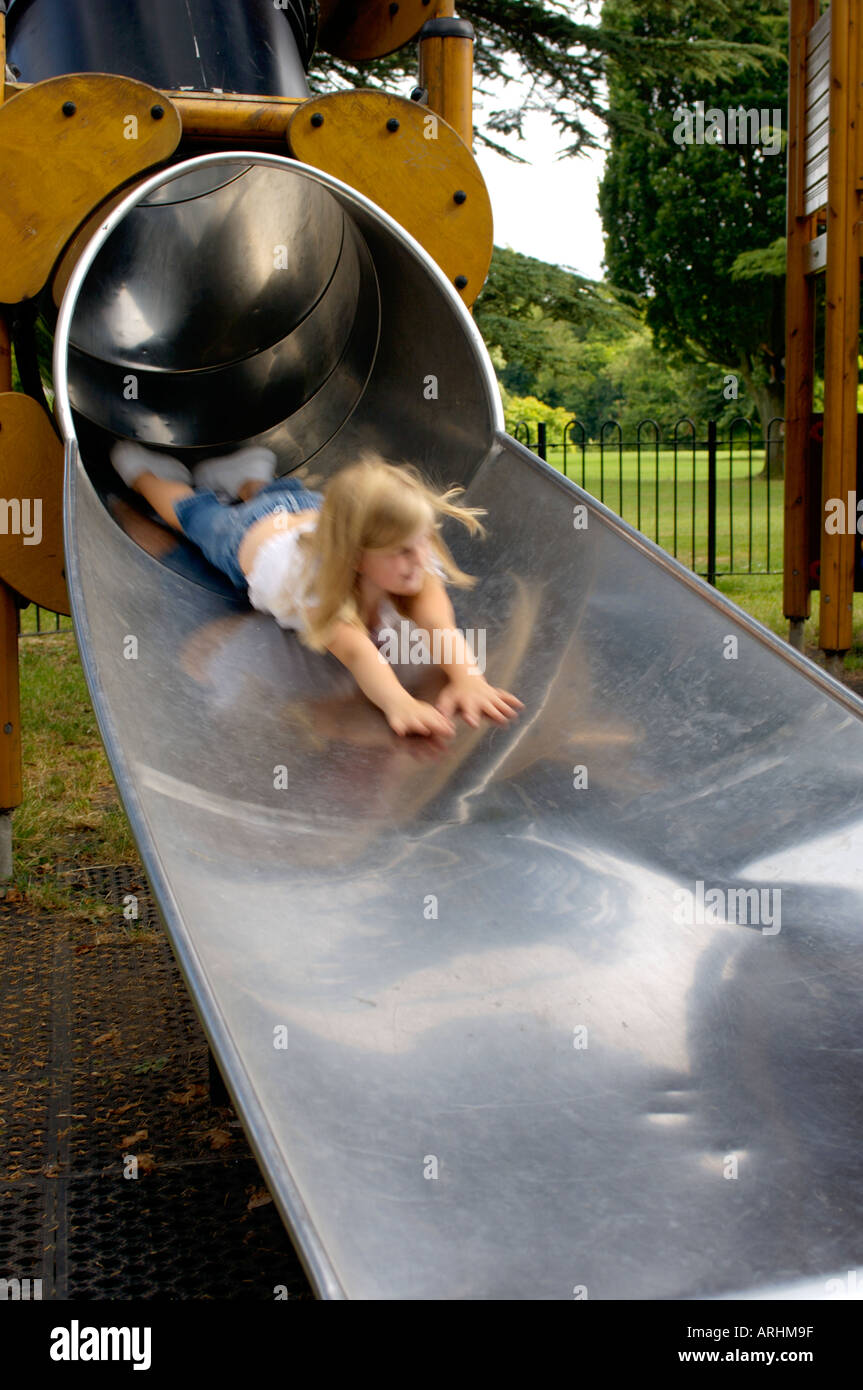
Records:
x=12, y=785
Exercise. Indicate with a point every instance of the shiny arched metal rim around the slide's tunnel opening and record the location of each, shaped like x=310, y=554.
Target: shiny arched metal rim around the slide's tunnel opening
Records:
x=248, y=158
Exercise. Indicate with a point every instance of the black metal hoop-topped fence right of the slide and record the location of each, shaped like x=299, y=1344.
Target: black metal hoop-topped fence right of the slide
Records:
x=712, y=502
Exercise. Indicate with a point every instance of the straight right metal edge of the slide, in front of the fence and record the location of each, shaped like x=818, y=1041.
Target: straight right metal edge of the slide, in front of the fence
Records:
x=668, y=562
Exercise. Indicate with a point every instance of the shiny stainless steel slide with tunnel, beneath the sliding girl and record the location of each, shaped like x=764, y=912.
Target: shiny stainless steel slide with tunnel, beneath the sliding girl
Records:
x=491, y=1021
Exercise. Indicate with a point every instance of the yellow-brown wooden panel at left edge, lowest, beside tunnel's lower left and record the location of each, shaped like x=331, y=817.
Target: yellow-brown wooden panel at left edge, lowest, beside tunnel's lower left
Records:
x=31, y=496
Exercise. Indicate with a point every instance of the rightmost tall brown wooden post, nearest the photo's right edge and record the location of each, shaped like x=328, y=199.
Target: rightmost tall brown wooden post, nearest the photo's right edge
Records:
x=841, y=333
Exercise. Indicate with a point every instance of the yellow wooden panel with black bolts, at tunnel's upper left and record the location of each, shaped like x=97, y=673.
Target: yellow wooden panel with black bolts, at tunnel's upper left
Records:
x=56, y=167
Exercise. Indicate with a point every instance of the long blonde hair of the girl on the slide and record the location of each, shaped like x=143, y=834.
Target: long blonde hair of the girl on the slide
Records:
x=373, y=505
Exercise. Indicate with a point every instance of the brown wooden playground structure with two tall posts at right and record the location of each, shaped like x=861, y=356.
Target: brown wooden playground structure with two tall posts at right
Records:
x=825, y=206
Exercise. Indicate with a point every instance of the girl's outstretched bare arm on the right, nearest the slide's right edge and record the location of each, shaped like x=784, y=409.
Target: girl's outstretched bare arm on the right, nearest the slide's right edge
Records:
x=468, y=690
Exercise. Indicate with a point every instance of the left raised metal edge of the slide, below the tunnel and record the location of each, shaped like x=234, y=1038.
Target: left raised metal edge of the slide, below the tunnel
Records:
x=268, y=1153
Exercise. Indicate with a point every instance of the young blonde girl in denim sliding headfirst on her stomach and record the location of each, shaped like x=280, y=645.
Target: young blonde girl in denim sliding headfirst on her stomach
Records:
x=336, y=568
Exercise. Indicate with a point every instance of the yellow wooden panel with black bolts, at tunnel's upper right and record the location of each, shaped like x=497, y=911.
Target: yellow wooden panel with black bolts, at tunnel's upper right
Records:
x=413, y=173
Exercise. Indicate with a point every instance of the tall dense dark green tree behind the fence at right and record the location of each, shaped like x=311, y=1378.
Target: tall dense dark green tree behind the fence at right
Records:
x=696, y=230
